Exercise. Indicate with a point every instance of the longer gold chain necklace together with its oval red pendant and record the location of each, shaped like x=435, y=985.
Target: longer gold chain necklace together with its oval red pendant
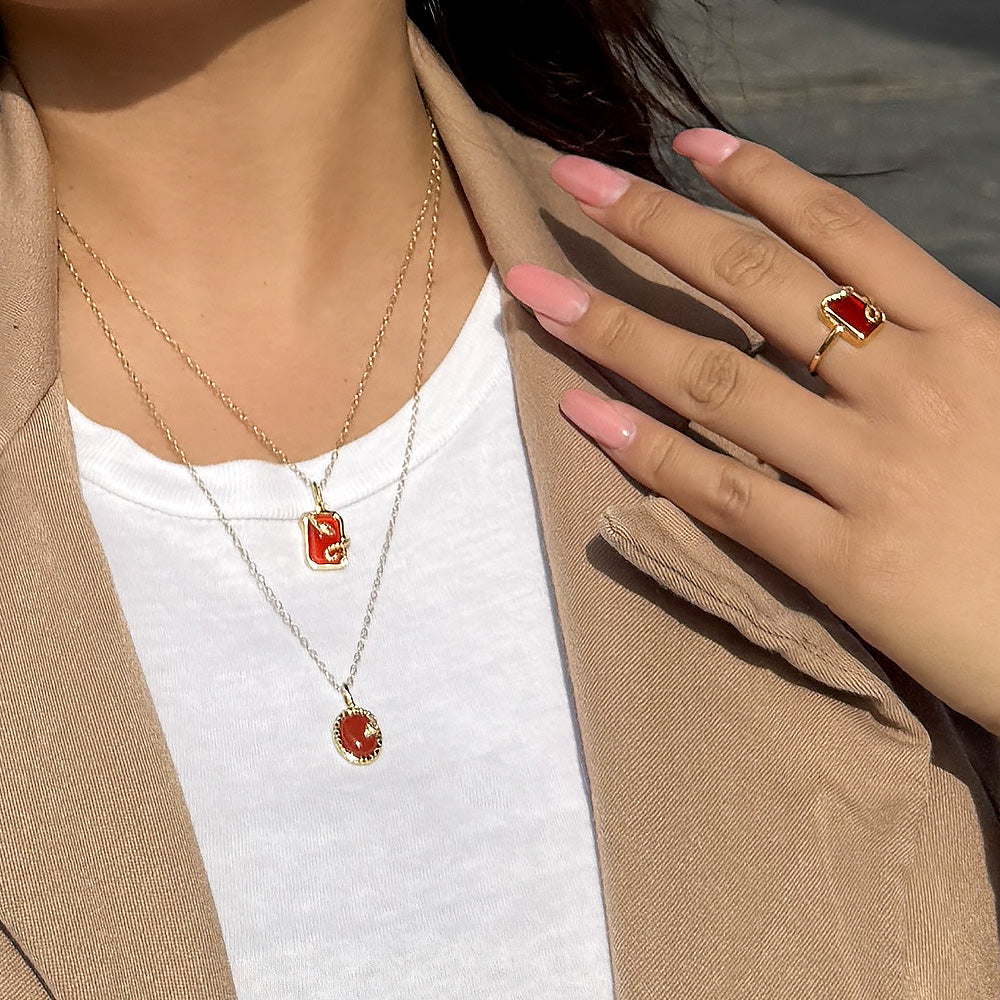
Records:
x=356, y=732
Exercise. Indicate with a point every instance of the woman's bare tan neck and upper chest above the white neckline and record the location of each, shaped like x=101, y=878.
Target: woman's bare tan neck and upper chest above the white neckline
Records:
x=252, y=170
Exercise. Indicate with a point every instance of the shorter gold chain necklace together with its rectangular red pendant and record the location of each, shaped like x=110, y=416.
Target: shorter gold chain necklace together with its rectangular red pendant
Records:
x=325, y=542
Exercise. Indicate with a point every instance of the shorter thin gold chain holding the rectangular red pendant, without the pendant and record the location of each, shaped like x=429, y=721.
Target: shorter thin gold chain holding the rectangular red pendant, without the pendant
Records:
x=223, y=396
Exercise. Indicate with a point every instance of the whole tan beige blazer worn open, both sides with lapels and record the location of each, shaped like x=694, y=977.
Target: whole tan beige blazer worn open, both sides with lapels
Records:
x=777, y=813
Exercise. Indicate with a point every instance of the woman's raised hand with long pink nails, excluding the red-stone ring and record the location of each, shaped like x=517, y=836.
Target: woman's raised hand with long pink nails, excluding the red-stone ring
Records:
x=893, y=520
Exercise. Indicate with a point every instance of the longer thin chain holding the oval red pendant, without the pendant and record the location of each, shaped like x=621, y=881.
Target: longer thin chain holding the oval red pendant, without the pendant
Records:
x=258, y=577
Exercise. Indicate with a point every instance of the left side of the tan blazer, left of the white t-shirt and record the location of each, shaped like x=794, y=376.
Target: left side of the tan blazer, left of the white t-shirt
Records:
x=101, y=883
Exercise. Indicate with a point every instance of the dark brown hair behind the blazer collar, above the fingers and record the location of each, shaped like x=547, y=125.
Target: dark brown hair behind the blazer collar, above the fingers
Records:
x=595, y=77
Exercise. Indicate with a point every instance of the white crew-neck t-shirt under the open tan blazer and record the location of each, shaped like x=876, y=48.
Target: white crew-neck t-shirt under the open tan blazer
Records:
x=461, y=863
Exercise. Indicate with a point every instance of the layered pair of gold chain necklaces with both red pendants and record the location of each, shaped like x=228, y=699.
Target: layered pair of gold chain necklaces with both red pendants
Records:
x=356, y=732
